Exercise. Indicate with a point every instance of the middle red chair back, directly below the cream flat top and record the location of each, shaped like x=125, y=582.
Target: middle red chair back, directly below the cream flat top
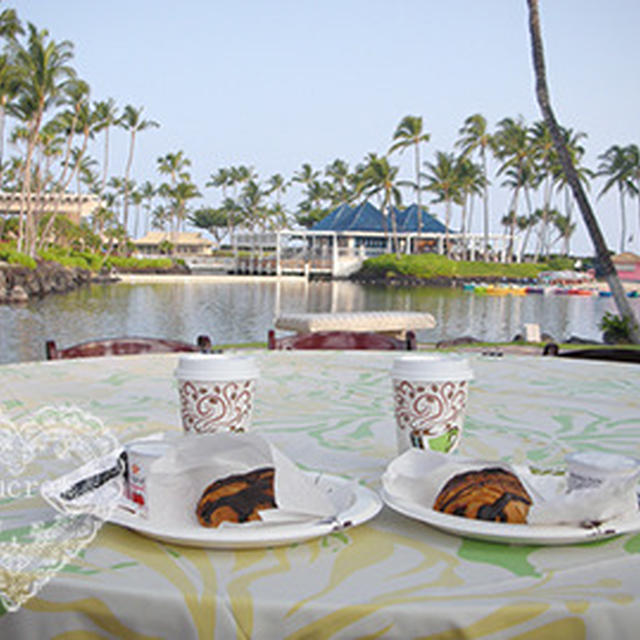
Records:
x=342, y=340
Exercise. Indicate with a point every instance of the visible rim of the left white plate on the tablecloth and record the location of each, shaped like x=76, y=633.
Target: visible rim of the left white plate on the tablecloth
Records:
x=355, y=503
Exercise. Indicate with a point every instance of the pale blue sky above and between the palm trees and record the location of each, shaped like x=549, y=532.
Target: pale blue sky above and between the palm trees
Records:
x=274, y=84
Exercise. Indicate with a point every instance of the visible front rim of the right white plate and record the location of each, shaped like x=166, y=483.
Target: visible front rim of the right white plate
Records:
x=512, y=533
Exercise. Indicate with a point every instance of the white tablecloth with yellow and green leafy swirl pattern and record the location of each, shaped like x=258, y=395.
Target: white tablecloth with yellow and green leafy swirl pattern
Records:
x=390, y=578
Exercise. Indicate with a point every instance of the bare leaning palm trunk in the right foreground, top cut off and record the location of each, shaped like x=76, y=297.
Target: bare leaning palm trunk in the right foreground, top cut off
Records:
x=602, y=253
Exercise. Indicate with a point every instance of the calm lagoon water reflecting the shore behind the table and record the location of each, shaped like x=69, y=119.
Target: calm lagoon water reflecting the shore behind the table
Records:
x=239, y=312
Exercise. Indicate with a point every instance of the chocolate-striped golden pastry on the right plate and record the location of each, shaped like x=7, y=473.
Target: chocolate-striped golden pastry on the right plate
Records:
x=489, y=494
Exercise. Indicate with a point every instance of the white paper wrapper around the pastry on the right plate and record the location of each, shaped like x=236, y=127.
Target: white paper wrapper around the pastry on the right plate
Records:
x=418, y=475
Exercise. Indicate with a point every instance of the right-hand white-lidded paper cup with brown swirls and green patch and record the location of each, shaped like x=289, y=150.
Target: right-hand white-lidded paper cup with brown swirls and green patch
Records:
x=430, y=395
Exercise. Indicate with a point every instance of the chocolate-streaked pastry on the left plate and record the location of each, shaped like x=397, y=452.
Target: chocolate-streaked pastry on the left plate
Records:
x=237, y=498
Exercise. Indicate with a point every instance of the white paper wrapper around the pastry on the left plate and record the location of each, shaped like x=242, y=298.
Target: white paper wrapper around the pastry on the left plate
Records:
x=178, y=479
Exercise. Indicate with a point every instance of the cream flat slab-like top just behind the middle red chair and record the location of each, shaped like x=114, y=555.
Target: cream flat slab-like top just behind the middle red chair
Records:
x=393, y=323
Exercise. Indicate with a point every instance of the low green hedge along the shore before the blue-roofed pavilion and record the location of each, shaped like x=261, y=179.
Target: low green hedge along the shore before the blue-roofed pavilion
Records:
x=434, y=265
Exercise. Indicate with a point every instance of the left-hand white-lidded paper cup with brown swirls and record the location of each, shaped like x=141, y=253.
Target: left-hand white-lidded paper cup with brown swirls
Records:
x=217, y=392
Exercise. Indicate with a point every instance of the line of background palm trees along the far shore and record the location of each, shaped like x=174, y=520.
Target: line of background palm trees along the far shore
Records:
x=56, y=125
